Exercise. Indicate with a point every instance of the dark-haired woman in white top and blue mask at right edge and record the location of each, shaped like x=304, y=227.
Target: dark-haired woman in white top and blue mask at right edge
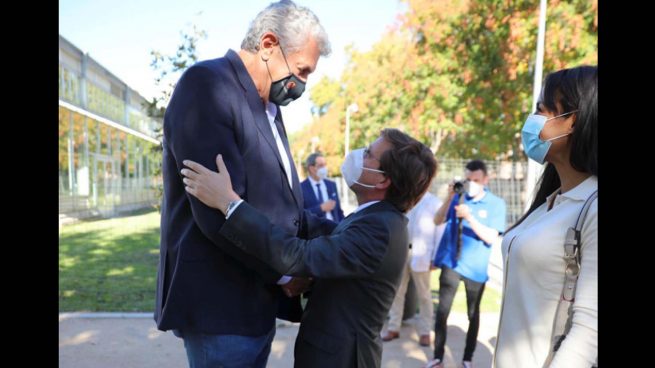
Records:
x=563, y=132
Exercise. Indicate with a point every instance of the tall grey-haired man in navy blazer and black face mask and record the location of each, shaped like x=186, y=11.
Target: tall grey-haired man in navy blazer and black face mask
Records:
x=220, y=300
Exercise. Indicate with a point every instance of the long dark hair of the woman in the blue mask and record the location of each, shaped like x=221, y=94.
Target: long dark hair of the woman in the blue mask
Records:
x=572, y=89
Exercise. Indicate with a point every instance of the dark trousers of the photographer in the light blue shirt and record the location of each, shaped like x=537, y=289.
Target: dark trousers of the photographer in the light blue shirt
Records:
x=448, y=283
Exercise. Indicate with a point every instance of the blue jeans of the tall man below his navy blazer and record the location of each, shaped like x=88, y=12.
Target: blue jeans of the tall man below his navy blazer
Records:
x=226, y=351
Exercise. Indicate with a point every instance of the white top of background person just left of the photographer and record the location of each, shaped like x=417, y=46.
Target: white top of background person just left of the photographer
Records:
x=424, y=235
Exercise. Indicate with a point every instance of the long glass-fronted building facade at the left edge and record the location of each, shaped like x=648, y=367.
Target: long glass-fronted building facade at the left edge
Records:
x=108, y=159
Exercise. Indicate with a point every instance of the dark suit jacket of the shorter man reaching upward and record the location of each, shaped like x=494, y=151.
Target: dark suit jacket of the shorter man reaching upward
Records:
x=358, y=269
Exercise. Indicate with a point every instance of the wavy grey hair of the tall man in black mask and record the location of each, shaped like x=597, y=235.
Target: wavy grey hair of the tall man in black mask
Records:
x=292, y=24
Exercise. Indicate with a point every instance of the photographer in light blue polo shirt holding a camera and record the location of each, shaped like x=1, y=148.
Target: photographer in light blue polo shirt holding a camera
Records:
x=475, y=218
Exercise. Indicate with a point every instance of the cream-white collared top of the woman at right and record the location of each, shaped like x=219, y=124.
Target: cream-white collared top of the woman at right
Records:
x=533, y=254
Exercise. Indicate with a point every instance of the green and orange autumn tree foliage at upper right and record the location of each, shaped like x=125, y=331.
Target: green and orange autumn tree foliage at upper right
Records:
x=456, y=75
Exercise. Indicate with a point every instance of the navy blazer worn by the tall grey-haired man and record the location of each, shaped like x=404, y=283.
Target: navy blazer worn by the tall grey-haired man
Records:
x=203, y=284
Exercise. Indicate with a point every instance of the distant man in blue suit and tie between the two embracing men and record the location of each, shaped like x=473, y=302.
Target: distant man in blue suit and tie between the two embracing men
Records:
x=320, y=194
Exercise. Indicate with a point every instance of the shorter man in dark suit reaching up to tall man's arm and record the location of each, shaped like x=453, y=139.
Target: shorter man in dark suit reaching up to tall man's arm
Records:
x=357, y=267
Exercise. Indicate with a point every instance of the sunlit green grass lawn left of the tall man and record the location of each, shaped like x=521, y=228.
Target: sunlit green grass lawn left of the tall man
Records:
x=109, y=265
